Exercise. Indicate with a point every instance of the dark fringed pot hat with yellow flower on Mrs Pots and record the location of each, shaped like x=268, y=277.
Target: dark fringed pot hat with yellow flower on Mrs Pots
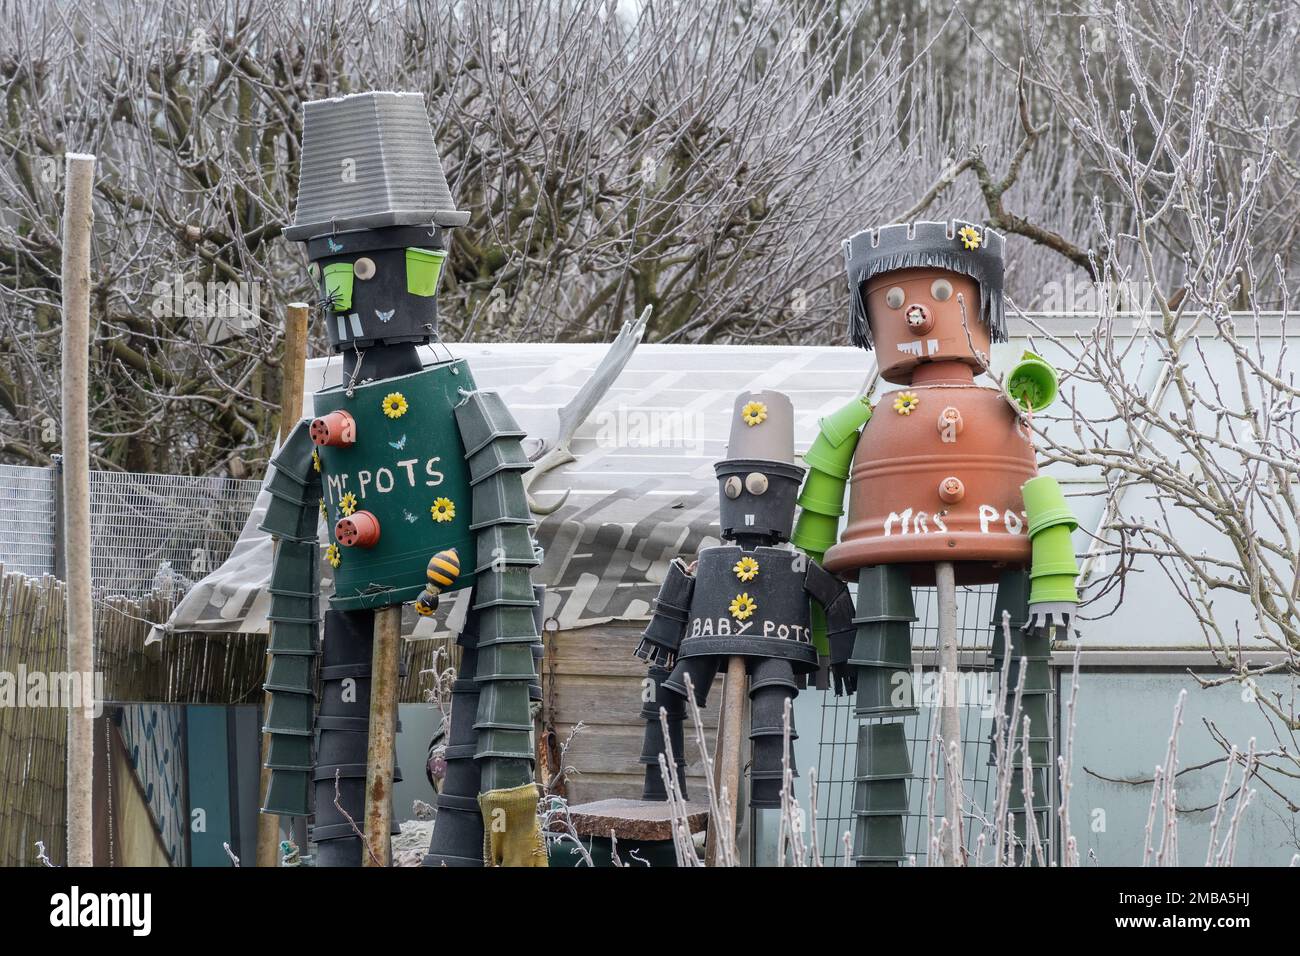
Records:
x=957, y=246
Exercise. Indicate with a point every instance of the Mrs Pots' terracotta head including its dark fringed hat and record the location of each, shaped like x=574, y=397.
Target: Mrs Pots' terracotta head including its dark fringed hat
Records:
x=928, y=292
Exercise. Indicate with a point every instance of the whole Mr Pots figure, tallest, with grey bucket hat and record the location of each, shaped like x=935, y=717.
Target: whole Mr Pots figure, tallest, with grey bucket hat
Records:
x=419, y=478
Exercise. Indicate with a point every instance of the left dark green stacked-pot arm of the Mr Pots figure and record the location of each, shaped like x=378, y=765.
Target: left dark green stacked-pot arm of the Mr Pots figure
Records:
x=292, y=520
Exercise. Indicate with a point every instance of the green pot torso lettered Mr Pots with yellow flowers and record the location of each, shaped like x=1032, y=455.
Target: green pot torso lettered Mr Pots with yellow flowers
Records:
x=396, y=470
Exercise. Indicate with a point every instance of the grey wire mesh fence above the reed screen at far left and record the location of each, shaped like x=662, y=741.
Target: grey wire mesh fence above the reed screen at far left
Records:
x=150, y=534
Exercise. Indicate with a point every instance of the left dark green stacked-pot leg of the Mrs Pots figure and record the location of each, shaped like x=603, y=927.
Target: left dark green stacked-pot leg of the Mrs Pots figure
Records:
x=882, y=657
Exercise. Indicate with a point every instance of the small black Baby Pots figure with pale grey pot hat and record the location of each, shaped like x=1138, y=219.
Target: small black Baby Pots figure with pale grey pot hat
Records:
x=749, y=598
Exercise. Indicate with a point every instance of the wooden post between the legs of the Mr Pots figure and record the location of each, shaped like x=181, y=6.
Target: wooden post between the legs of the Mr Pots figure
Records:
x=384, y=730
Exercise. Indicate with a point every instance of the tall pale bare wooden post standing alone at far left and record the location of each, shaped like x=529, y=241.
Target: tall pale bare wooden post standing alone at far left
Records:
x=79, y=219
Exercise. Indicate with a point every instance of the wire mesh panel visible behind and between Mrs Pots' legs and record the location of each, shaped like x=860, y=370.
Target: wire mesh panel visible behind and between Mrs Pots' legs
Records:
x=980, y=702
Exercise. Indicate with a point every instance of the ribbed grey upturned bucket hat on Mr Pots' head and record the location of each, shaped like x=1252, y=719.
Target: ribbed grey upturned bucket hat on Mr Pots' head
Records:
x=369, y=163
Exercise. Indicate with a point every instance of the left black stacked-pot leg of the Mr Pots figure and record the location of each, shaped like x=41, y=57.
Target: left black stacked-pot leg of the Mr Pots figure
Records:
x=345, y=720
